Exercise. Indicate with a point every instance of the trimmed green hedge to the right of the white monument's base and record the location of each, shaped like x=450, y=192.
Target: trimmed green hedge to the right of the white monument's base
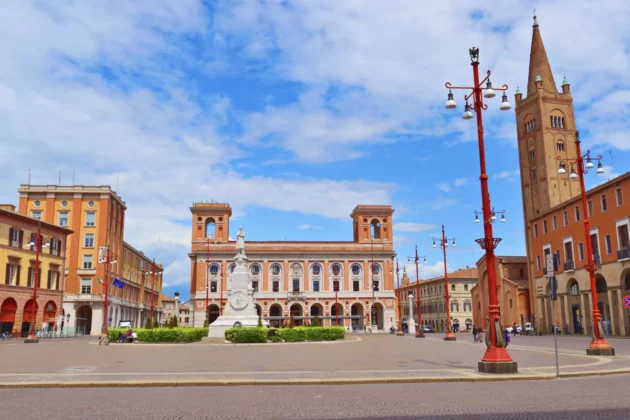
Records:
x=290, y=335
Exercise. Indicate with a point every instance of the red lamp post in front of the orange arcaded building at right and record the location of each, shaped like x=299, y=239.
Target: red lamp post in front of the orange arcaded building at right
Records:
x=599, y=345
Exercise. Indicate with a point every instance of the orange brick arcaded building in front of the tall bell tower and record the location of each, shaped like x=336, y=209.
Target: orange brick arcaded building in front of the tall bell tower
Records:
x=560, y=231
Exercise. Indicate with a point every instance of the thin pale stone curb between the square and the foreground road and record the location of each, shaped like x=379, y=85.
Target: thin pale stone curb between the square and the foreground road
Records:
x=263, y=382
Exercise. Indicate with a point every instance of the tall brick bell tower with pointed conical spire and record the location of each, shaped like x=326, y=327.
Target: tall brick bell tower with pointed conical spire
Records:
x=545, y=127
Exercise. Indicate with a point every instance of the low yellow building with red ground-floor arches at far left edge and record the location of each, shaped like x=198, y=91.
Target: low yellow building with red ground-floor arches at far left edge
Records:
x=18, y=264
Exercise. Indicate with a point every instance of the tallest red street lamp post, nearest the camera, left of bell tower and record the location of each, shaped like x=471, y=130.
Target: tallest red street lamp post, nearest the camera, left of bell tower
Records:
x=496, y=359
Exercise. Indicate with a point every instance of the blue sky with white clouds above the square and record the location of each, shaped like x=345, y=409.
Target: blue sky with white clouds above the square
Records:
x=294, y=112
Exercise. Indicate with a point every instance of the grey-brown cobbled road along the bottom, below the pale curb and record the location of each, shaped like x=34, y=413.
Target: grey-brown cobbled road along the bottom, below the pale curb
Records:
x=584, y=398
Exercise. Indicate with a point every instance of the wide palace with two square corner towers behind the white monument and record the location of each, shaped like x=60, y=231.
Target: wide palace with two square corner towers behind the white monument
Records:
x=298, y=278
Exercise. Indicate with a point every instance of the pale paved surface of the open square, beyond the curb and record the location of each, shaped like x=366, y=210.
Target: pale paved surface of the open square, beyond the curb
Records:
x=364, y=356
